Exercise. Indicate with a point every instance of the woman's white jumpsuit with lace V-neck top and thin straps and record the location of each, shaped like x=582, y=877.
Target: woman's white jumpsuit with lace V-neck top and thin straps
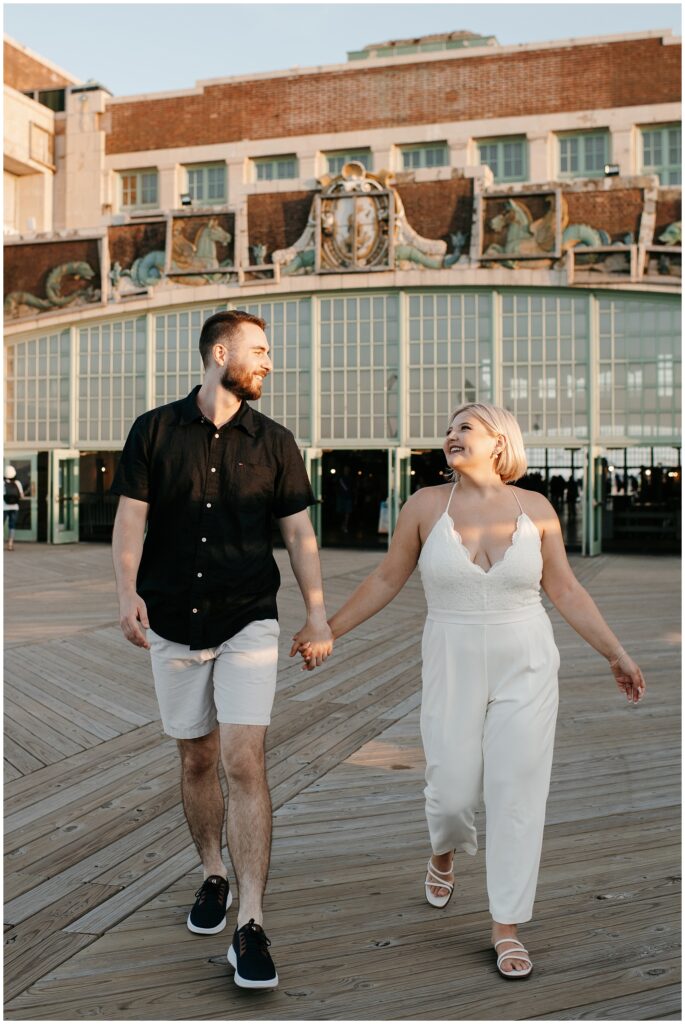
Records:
x=489, y=709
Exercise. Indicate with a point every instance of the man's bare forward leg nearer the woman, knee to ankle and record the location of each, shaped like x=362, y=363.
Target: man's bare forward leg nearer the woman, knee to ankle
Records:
x=249, y=821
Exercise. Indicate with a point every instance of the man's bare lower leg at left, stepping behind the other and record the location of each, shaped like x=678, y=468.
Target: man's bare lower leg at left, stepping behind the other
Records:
x=203, y=799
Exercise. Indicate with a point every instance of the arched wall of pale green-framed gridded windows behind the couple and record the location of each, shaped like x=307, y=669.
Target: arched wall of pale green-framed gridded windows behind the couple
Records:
x=585, y=373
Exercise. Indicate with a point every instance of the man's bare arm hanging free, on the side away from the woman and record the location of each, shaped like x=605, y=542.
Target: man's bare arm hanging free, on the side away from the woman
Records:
x=130, y=532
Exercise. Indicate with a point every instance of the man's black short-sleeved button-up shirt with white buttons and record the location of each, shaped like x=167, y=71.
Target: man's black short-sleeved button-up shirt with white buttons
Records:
x=207, y=568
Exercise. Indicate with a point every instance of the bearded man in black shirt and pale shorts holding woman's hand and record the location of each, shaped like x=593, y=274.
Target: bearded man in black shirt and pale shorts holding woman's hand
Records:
x=206, y=475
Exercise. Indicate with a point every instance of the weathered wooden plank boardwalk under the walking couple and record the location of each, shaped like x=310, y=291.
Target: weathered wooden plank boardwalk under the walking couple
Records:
x=101, y=870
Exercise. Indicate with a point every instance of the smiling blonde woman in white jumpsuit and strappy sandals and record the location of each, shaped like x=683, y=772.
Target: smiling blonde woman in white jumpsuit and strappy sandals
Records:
x=490, y=661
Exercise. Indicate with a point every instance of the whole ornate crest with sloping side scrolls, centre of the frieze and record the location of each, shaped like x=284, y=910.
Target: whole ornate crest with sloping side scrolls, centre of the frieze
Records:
x=359, y=224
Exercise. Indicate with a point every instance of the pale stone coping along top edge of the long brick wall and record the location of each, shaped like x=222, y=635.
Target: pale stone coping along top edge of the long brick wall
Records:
x=427, y=58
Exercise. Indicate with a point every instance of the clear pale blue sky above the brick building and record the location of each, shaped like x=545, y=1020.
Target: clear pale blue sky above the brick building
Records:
x=136, y=49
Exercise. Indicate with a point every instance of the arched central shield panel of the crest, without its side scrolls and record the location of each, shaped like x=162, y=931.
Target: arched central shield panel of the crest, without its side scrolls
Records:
x=355, y=224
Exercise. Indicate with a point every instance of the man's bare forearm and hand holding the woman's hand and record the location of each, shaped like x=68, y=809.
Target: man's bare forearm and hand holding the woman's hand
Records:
x=301, y=541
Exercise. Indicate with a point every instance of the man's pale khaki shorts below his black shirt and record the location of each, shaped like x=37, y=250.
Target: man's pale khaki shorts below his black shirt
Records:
x=234, y=684
